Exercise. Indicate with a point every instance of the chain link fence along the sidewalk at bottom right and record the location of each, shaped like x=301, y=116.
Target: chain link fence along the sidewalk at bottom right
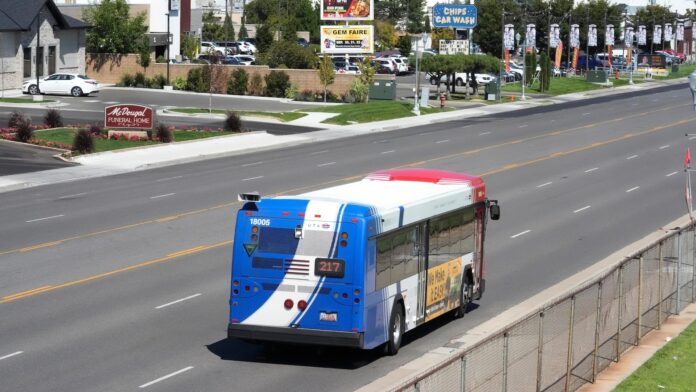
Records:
x=563, y=346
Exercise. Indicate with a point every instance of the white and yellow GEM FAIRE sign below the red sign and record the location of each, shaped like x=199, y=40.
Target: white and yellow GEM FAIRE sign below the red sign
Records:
x=358, y=39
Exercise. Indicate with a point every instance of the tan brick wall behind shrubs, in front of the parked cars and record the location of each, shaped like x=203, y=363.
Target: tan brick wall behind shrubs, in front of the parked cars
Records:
x=109, y=69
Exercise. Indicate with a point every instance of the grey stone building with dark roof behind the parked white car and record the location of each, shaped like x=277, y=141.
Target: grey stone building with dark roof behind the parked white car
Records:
x=58, y=47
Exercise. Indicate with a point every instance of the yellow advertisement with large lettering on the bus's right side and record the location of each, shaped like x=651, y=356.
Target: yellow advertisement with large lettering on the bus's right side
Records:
x=443, y=288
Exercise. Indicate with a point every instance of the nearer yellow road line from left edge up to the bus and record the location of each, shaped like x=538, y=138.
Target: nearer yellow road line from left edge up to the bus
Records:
x=170, y=256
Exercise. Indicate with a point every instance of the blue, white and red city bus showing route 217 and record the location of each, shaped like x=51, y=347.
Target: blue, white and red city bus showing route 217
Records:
x=359, y=264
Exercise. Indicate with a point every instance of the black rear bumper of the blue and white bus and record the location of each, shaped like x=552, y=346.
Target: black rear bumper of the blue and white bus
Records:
x=295, y=335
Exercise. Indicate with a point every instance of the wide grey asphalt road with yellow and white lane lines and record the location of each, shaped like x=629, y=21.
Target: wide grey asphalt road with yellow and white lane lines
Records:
x=122, y=282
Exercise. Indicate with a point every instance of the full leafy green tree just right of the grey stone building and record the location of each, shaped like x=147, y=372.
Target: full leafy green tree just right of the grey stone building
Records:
x=112, y=30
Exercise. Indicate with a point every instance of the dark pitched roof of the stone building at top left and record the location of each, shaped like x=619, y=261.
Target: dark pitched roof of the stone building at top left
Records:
x=19, y=15
